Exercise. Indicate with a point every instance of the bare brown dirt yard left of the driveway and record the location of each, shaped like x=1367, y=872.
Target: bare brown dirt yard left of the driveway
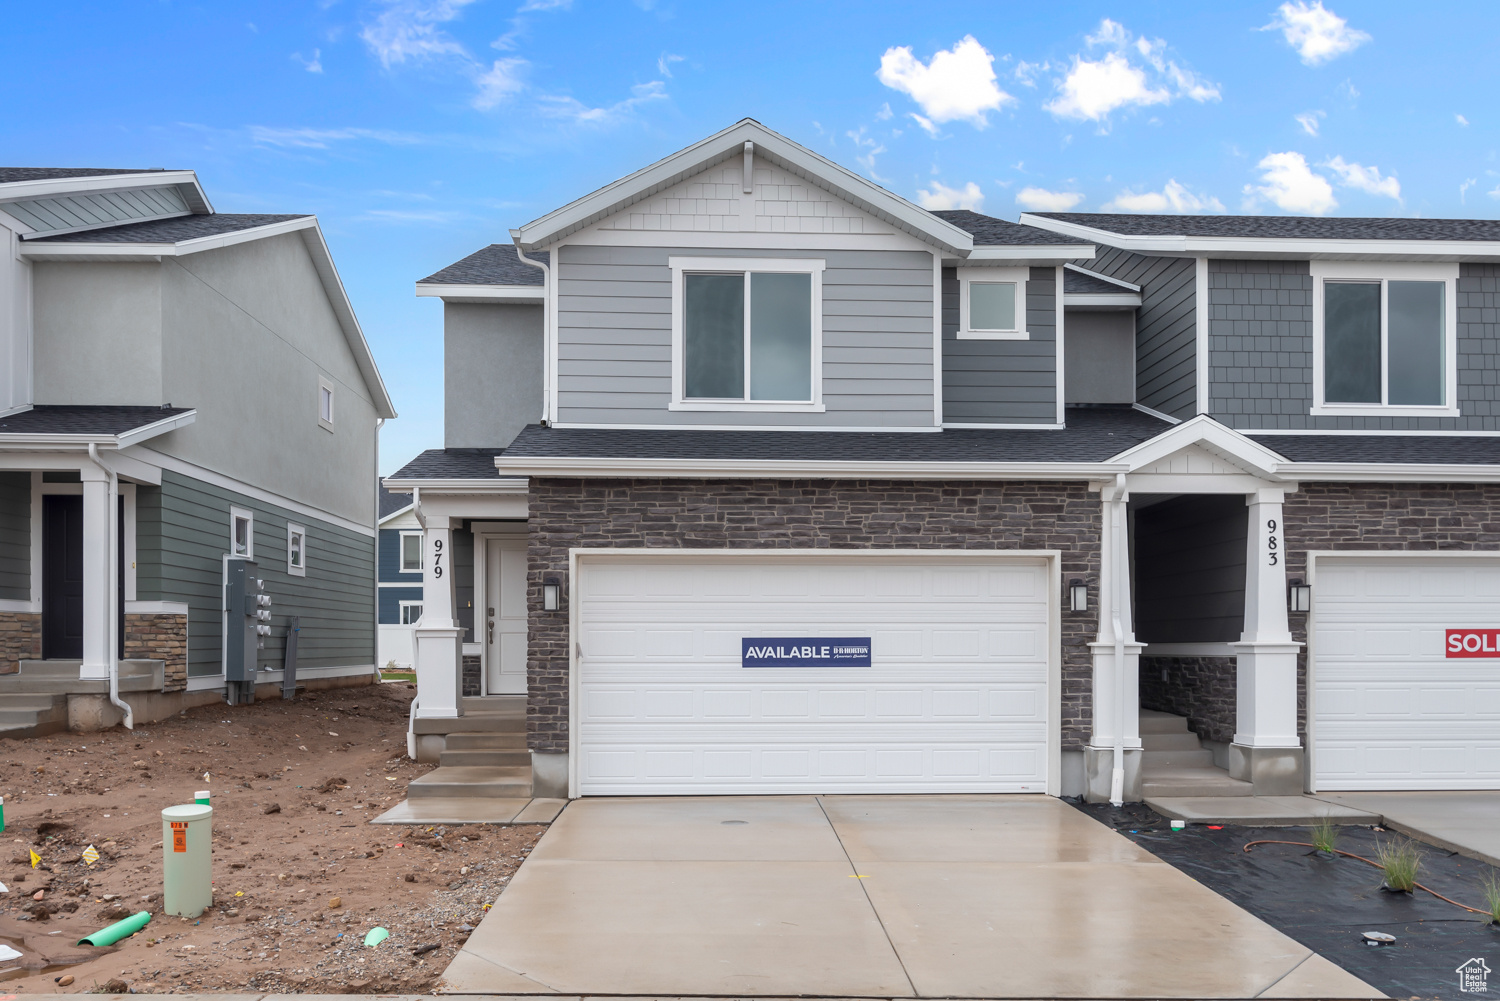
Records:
x=301, y=876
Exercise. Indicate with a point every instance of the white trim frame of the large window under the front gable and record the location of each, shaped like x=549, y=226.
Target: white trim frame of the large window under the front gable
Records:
x=766, y=265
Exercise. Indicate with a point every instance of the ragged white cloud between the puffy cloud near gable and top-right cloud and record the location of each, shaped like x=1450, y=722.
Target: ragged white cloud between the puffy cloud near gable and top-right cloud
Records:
x=1135, y=74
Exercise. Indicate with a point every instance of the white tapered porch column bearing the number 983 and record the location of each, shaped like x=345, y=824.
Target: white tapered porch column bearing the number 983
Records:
x=1267, y=750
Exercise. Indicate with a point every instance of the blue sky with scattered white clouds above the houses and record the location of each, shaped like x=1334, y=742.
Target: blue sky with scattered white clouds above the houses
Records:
x=424, y=130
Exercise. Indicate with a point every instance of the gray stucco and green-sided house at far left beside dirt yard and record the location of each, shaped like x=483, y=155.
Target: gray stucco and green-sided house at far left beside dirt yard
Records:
x=184, y=394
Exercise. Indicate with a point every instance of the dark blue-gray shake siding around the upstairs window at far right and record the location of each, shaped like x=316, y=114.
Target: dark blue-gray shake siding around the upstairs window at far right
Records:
x=1261, y=350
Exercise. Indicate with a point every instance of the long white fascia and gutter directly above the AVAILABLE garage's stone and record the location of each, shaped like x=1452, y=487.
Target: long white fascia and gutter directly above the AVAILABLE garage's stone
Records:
x=808, y=469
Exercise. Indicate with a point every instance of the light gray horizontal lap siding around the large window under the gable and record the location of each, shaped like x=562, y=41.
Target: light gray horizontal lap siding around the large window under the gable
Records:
x=616, y=338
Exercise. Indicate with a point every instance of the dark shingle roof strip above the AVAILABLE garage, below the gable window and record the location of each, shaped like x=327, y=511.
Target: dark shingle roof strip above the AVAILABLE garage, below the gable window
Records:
x=1093, y=434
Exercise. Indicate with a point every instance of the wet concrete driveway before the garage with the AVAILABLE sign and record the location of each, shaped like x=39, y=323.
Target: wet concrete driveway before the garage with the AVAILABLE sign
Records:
x=959, y=897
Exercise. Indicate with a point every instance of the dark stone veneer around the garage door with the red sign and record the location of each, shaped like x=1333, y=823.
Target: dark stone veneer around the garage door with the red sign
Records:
x=1412, y=517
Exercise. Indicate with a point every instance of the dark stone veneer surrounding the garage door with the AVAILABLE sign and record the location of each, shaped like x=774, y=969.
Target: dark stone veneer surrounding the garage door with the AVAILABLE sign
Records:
x=745, y=514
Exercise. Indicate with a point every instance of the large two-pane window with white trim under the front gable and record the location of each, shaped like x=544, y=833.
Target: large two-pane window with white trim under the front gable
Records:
x=748, y=335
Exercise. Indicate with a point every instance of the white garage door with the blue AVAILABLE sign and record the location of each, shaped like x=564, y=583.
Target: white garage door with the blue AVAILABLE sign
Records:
x=955, y=700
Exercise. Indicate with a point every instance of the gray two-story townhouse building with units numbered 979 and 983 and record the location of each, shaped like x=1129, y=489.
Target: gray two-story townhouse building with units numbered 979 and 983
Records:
x=826, y=493
